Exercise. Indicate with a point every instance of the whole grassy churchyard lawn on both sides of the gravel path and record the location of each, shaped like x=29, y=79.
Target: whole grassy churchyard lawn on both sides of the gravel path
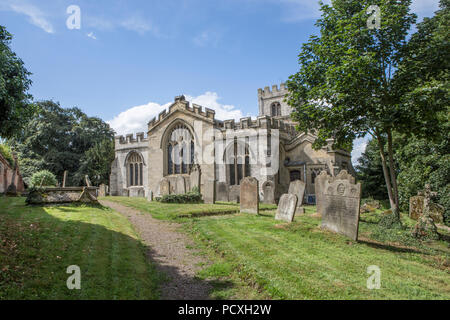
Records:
x=249, y=257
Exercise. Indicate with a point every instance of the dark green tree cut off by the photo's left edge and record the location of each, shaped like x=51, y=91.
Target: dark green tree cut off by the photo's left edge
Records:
x=15, y=106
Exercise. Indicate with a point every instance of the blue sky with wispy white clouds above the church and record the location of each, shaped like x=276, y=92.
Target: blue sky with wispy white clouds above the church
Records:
x=130, y=58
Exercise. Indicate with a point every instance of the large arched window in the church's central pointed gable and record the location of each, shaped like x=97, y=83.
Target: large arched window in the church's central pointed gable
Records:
x=180, y=150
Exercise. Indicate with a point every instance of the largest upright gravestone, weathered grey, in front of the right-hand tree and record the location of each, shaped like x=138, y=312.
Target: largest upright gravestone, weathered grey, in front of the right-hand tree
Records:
x=341, y=207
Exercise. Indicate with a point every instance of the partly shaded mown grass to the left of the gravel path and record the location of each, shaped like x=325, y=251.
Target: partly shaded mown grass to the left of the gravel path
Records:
x=37, y=244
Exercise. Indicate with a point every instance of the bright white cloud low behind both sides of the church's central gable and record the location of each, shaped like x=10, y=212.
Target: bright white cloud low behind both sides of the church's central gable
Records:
x=136, y=118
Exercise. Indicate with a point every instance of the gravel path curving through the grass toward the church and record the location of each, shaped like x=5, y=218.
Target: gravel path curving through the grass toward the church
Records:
x=167, y=248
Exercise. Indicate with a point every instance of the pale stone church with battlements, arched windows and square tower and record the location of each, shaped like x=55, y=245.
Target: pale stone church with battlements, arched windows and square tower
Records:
x=186, y=147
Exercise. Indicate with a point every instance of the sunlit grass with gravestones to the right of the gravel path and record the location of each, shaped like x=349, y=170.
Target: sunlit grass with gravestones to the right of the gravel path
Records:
x=260, y=257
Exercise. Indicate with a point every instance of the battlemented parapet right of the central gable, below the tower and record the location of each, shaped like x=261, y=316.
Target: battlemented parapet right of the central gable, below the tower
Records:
x=262, y=122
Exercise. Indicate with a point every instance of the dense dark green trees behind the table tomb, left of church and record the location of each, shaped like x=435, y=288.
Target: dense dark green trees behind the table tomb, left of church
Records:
x=59, y=139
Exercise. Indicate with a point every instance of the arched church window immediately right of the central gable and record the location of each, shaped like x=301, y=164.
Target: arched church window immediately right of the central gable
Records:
x=238, y=161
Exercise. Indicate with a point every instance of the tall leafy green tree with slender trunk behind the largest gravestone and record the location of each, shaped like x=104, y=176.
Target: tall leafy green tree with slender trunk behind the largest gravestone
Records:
x=347, y=86
